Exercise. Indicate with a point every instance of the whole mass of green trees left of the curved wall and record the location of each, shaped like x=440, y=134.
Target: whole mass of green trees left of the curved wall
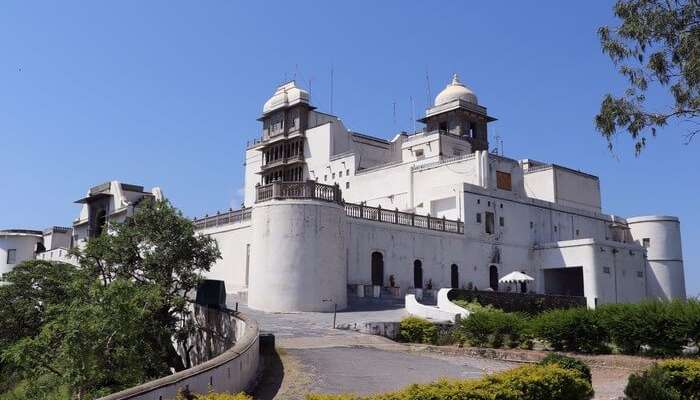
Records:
x=109, y=323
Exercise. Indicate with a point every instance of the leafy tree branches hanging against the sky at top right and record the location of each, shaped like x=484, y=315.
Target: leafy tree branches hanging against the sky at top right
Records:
x=656, y=43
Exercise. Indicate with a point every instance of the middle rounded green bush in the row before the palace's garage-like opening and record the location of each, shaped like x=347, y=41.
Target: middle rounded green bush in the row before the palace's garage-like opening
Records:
x=574, y=329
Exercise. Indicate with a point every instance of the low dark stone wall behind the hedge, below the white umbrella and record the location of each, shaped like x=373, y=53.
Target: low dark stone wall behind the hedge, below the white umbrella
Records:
x=530, y=303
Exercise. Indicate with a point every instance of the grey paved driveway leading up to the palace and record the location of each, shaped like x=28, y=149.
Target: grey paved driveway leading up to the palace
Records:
x=314, y=357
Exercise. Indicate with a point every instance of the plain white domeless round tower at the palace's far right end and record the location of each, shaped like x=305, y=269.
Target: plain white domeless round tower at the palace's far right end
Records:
x=661, y=237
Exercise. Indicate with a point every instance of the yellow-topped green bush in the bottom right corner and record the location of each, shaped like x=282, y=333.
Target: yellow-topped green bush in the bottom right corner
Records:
x=671, y=379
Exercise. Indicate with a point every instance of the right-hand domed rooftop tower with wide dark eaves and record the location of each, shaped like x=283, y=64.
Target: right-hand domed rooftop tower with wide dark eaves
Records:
x=456, y=111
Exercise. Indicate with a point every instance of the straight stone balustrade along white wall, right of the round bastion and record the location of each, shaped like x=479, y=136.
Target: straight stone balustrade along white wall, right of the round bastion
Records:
x=402, y=218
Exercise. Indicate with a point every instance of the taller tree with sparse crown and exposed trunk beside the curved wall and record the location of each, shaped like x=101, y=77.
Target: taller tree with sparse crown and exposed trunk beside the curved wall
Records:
x=156, y=246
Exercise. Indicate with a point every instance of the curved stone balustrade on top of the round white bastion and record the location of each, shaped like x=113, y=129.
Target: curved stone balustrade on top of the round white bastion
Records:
x=298, y=190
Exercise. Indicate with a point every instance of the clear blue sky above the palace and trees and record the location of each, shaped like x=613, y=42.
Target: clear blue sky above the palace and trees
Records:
x=166, y=93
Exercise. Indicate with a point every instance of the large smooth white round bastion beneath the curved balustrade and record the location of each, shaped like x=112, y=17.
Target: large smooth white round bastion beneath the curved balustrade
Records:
x=298, y=256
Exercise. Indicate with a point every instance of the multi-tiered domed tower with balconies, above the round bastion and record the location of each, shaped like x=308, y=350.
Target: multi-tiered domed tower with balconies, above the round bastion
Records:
x=284, y=118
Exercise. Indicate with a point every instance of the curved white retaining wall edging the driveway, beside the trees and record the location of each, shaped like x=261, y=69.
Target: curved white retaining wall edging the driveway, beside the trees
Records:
x=232, y=371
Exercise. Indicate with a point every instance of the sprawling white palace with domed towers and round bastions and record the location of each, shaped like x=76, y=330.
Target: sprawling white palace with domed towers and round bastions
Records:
x=328, y=211
